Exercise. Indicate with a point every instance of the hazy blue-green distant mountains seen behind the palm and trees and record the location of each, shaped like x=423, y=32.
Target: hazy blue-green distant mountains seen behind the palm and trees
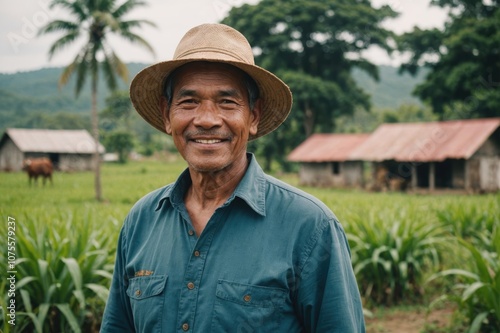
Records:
x=23, y=93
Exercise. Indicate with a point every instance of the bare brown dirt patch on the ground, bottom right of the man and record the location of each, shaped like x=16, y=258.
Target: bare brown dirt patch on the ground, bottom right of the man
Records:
x=408, y=321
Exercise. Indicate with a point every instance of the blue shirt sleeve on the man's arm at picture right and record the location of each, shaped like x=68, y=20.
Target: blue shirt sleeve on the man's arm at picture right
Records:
x=328, y=298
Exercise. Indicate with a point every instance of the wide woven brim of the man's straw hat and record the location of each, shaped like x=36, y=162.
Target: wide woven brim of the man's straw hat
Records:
x=146, y=91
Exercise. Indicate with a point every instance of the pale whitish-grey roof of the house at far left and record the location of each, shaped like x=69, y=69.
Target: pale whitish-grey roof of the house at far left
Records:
x=53, y=141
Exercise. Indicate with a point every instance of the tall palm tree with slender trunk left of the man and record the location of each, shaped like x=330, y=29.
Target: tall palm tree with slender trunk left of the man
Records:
x=95, y=20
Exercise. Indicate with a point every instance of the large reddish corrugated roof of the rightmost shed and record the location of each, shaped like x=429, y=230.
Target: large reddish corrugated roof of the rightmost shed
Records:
x=426, y=142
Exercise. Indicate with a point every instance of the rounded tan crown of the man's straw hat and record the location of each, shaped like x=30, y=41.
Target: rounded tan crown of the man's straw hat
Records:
x=214, y=41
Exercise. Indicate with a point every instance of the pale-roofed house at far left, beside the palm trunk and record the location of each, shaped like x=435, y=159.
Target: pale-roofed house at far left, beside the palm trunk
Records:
x=69, y=150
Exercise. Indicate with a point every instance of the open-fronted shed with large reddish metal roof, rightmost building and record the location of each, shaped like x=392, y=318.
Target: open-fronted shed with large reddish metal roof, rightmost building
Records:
x=458, y=154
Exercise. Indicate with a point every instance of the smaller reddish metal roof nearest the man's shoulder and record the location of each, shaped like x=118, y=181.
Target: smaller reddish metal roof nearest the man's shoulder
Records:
x=327, y=147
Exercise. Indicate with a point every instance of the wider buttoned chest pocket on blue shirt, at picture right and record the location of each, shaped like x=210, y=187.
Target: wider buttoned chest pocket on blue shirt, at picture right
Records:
x=247, y=308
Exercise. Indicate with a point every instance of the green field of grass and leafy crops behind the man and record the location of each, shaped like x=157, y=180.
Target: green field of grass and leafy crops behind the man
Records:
x=67, y=241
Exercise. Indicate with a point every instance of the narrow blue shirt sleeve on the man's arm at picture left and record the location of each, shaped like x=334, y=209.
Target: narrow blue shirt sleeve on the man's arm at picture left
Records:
x=118, y=314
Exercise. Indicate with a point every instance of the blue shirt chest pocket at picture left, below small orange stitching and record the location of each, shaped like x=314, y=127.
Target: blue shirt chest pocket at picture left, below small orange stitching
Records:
x=147, y=296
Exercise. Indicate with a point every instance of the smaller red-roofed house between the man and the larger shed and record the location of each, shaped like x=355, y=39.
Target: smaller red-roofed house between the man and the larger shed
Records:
x=324, y=160
